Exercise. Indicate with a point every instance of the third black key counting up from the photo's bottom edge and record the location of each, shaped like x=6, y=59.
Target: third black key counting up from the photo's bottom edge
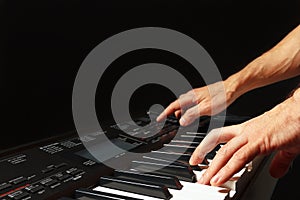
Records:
x=169, y=181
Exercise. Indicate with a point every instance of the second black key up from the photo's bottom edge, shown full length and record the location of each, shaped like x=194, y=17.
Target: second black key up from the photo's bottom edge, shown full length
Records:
x=158, y=191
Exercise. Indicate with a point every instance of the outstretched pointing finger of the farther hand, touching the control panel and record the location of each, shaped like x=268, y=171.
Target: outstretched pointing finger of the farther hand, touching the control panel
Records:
x=182, y=102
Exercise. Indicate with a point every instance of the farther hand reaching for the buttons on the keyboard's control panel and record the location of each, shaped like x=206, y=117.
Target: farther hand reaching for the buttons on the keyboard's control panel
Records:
x=204, y=101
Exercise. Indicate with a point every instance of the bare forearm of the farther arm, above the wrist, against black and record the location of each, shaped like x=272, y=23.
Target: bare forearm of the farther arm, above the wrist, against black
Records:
x=279, y=63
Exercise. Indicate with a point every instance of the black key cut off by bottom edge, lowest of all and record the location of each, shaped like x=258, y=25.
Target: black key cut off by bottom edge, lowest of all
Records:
x=79, y=193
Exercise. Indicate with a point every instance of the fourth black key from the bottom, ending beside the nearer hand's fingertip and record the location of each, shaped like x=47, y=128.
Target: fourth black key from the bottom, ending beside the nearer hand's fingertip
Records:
x=181, y=172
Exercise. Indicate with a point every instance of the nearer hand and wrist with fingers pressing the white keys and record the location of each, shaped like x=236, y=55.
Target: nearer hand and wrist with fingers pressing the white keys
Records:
x=275, y=130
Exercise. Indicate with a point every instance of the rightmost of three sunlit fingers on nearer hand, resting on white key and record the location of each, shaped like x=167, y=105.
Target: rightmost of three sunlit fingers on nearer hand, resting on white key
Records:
x=238, y=161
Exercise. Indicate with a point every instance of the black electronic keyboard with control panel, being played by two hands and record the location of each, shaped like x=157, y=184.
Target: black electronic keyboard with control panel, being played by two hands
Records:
x=62, y=168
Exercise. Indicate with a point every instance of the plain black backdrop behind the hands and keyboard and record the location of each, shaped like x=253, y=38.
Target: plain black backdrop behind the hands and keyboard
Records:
x=44, y=42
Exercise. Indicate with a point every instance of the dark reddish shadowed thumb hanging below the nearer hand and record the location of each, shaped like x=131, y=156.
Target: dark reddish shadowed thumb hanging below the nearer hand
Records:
x=281, y=163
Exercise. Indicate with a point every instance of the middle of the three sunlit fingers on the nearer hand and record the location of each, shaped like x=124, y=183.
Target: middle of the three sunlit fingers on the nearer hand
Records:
x=221, y=158
